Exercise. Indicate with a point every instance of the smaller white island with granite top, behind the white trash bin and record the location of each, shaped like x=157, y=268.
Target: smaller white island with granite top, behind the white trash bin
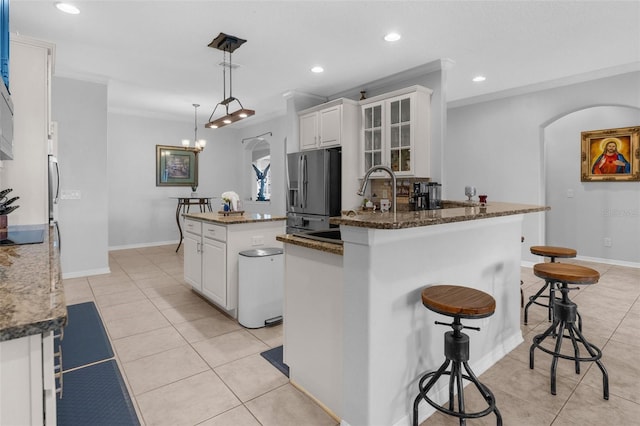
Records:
x=211, y=246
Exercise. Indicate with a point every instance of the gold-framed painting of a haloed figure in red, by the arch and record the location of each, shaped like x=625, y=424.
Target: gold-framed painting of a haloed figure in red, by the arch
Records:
x=610, y=155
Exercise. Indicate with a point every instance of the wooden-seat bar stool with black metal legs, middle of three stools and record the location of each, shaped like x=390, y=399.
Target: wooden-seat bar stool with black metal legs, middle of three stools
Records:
x=564, y=319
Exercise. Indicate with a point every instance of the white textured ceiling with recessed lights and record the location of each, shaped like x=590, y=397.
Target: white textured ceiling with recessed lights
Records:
x=155, y=58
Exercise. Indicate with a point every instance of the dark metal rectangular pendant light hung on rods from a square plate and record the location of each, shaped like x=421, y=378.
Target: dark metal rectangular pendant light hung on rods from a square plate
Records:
x=228, y=44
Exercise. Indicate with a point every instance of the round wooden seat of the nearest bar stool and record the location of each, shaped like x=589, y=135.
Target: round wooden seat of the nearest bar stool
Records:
x=458, y=301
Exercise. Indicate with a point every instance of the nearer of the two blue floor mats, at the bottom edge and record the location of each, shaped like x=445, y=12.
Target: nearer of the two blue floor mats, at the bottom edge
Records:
x=95, y=395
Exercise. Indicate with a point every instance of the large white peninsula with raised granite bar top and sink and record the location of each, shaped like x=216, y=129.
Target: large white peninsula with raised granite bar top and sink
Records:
x=377, y=339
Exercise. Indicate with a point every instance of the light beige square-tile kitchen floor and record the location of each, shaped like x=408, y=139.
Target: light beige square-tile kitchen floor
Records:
x=186, y=363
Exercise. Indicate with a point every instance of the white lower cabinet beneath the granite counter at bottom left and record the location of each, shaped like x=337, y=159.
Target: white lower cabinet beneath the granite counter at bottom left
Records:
x=27, y=386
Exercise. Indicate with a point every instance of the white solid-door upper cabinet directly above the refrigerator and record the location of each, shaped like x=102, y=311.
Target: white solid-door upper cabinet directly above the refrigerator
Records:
x=324, y=126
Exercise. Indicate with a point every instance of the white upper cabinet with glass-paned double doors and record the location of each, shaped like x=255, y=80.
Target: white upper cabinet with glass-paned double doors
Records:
x=396, y=132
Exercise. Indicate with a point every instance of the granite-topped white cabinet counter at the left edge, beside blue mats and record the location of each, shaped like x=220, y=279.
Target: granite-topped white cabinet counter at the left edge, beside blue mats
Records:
x=32, y=307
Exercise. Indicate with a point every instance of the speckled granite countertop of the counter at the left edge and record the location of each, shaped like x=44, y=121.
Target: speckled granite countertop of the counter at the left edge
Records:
x=31, y=292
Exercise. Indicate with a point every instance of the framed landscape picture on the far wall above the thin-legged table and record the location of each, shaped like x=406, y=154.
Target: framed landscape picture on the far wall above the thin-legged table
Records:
x=176, y=166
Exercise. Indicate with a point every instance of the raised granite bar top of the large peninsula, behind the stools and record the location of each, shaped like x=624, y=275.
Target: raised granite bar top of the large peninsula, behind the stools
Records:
x=454, y=212
